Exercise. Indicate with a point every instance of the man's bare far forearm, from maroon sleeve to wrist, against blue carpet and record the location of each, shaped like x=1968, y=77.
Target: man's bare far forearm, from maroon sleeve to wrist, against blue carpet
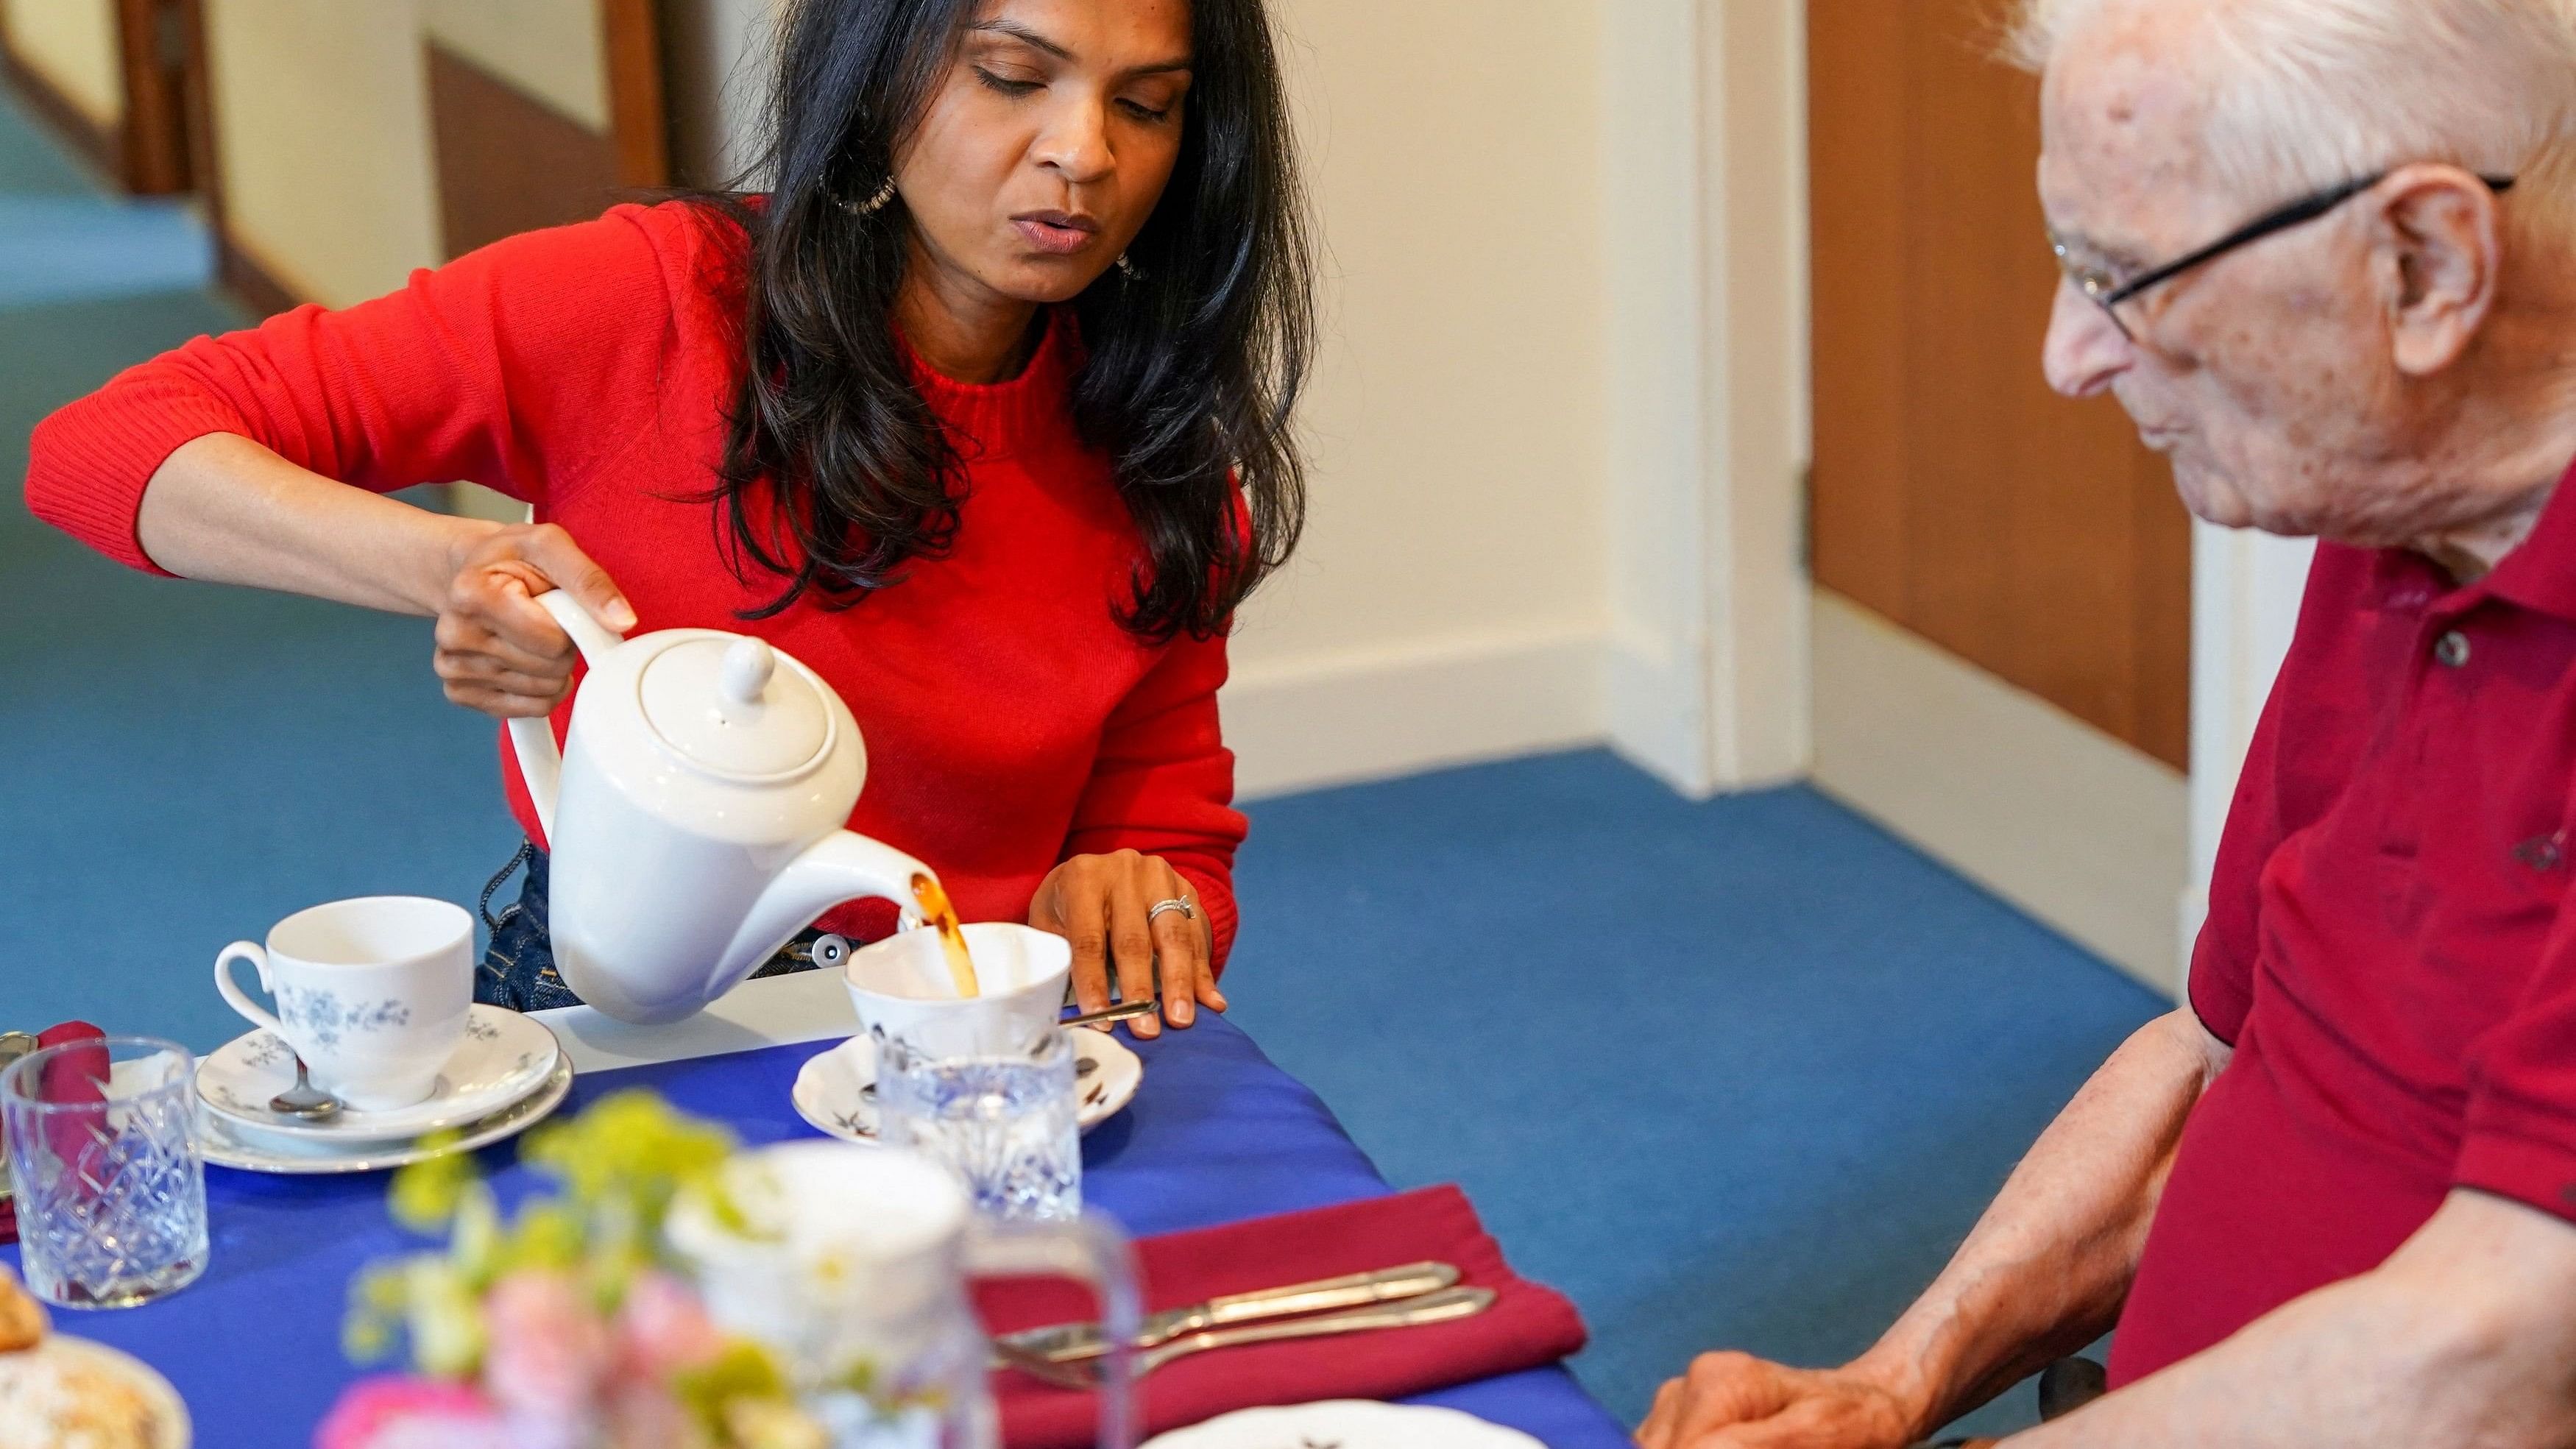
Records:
x=2052, y=1260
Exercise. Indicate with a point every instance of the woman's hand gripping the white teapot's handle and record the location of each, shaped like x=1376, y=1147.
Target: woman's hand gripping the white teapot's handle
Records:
x=498, y=650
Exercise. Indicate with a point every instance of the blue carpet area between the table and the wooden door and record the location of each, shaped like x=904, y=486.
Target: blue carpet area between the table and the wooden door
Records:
x=1732, y=1075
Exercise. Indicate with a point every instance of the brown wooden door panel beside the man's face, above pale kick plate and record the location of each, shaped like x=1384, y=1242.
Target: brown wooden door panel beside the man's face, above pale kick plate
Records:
x=1954, y=493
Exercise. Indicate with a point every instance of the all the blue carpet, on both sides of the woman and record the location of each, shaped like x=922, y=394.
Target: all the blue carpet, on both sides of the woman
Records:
x=1732, y=1075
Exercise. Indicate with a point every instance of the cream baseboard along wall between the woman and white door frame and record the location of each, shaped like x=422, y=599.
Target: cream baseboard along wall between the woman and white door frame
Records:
x=1343, y=719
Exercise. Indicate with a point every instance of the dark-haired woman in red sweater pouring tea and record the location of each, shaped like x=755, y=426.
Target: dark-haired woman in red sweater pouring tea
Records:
x=980, y=411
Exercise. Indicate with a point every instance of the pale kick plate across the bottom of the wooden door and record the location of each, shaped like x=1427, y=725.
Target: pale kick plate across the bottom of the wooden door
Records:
x=2052, y=815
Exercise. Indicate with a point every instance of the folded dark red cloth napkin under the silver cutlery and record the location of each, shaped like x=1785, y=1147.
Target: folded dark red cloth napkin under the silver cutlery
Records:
x=1529, y=1324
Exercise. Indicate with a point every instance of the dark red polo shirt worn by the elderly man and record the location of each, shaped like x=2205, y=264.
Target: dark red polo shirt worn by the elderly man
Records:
x=2387, y=943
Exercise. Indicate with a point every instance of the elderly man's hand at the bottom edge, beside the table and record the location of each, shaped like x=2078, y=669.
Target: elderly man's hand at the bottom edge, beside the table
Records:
x=1735, y=1401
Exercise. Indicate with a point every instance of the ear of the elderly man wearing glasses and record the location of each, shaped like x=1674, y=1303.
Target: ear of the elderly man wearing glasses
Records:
x=2443, y=256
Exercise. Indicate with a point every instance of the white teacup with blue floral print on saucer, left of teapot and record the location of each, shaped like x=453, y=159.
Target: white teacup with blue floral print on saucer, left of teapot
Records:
x=372, y=995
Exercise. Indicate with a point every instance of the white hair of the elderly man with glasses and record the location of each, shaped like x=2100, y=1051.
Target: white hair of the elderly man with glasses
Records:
x=2309, y=94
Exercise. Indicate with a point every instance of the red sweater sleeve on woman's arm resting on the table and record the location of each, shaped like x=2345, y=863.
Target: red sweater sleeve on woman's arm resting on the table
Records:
x=1163, y=781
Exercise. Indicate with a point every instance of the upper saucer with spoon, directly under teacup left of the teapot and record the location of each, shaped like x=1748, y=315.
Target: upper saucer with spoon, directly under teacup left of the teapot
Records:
x=501, y=1059
